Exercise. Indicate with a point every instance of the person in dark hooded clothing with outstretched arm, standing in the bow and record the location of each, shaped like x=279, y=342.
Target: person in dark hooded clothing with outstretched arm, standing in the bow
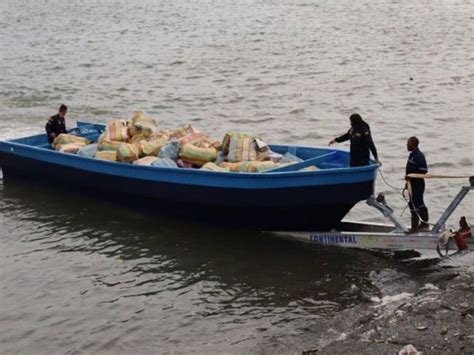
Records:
x=361, y=142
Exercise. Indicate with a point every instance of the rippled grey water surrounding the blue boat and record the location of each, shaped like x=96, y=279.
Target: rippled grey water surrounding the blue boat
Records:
x=83, y=276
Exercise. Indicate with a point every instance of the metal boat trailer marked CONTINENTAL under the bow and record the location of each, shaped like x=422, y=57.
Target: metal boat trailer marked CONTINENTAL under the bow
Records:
x=395, y=236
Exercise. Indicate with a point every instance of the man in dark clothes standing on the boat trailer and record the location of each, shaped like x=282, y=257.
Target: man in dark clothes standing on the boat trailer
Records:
x=416, y=164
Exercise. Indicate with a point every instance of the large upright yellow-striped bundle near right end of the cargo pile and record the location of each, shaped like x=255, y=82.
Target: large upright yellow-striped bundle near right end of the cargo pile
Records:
x=242, y=147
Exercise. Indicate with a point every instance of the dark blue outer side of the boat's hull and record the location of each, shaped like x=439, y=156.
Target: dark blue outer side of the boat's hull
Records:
x=282, y=206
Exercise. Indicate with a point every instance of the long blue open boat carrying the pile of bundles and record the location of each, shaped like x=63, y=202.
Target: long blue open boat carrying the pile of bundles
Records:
x=280, y=199
